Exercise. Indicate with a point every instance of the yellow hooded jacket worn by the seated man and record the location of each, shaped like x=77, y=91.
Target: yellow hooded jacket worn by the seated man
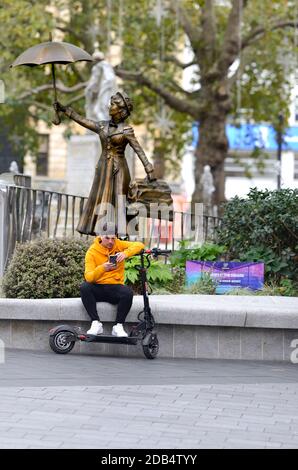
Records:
x=97, y=255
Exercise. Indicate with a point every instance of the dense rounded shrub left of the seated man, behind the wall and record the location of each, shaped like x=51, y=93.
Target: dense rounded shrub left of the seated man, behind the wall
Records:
x=46, y=269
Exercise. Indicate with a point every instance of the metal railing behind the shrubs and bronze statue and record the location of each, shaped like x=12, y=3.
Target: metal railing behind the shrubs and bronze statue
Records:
x=29, y=214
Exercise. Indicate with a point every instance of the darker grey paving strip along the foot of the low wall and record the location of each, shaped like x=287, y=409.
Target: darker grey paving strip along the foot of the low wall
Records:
x=24, y=368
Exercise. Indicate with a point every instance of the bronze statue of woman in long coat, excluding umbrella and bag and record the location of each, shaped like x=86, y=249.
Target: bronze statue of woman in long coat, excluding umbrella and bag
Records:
x=112, y=178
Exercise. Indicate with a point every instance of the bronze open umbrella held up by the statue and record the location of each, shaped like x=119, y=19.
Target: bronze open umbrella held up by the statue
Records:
x=52, y=52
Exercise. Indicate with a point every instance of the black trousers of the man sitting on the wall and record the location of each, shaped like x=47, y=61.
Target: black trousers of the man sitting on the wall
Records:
x=116, y=294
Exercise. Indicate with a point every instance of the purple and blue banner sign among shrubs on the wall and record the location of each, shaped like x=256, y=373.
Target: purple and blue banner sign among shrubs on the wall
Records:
x=228, y=275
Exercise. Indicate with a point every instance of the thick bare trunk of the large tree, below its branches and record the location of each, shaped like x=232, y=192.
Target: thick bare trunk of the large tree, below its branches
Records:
x=211, y=150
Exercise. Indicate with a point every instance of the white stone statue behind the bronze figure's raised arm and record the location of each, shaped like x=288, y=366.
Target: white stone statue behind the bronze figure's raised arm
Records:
x=100, y=88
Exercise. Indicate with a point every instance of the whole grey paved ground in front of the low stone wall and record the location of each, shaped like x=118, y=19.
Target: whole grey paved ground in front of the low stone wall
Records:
x=83, y=401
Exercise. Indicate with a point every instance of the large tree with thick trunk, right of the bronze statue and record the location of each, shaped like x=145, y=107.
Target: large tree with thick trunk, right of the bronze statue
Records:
x=219, y=35
